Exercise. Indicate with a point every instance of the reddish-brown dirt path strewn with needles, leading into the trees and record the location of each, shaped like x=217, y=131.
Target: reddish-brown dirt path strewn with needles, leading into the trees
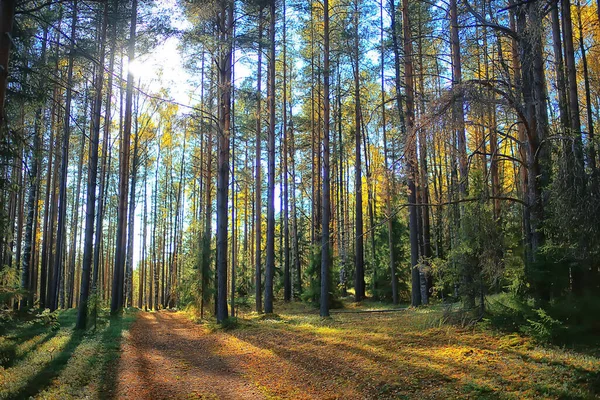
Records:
x=166, y=356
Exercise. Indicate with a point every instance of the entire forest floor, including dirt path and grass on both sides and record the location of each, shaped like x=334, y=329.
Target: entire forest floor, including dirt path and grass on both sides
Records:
x=403, y=354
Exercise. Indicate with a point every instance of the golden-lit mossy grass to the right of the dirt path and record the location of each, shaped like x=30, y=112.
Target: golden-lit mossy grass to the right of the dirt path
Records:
x=404, y=354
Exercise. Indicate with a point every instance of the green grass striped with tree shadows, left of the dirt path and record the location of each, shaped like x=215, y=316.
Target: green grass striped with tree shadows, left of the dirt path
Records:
x=47, y=358
